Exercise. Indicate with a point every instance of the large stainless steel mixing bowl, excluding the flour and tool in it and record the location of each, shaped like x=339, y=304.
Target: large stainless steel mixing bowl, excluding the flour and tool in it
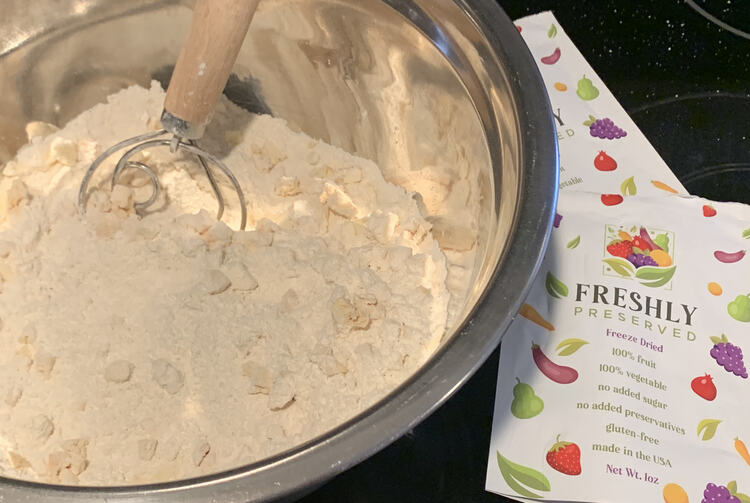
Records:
x=407, y=83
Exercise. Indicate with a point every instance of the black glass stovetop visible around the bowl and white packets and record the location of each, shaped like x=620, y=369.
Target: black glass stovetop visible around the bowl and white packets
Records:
x=681, y=69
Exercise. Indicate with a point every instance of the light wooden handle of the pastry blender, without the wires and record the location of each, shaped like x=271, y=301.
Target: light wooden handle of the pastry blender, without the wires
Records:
x=206, y=60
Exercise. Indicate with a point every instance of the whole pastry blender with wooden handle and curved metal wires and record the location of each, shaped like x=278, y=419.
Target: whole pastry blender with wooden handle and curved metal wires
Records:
x=216, y=33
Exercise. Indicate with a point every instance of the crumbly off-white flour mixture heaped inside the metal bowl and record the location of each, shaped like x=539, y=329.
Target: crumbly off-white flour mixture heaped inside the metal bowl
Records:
x=156, y=348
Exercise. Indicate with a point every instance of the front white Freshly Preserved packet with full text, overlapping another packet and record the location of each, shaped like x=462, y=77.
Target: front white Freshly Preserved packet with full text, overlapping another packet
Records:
x=628, y=362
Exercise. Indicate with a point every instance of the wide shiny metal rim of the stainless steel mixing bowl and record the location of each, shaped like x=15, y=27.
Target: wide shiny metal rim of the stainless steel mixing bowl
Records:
x=333, y=452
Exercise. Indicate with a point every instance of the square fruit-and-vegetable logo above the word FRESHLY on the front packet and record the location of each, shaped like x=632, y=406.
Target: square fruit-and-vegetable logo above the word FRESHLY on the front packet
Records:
x=641, y=254
